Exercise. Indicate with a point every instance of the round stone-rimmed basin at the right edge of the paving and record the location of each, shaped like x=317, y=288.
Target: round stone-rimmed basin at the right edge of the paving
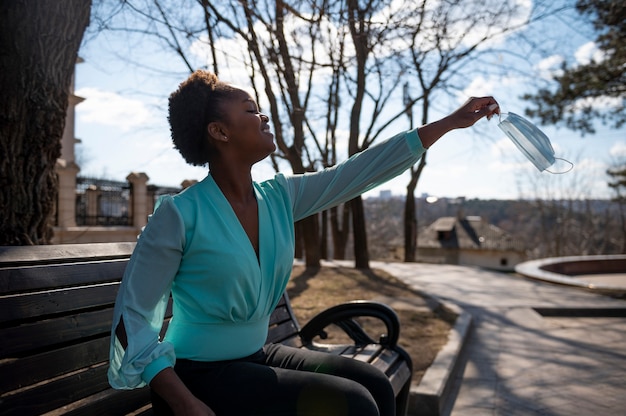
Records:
x=602, y=274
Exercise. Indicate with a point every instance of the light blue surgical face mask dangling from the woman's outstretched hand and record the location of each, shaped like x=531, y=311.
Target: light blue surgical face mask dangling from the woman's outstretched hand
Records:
x=531, y=141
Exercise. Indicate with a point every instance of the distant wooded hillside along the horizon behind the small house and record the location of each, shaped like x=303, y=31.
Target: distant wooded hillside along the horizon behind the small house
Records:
x=549, y=228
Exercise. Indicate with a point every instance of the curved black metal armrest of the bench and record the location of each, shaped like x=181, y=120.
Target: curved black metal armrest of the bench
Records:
x=343, y=316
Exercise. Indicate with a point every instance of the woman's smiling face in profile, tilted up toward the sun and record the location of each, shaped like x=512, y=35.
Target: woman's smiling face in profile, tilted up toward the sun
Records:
x=247, y=128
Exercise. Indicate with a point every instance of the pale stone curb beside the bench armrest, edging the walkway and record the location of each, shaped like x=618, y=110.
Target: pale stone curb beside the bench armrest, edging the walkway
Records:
x=431, y=396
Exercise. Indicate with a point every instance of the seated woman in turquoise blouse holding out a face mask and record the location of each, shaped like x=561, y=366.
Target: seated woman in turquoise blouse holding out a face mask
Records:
x=224, y=248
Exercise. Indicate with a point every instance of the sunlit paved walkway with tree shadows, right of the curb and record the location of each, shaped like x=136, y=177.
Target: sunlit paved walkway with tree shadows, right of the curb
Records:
x=518, y=362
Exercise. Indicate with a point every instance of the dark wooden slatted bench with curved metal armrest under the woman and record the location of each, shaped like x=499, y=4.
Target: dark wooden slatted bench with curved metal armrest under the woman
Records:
x=56, y=305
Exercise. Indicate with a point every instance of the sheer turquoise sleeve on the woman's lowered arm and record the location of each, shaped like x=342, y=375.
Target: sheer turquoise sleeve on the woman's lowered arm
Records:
x=142, y=301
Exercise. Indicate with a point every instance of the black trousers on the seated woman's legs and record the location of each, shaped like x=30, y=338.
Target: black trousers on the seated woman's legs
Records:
x=286, y=381
